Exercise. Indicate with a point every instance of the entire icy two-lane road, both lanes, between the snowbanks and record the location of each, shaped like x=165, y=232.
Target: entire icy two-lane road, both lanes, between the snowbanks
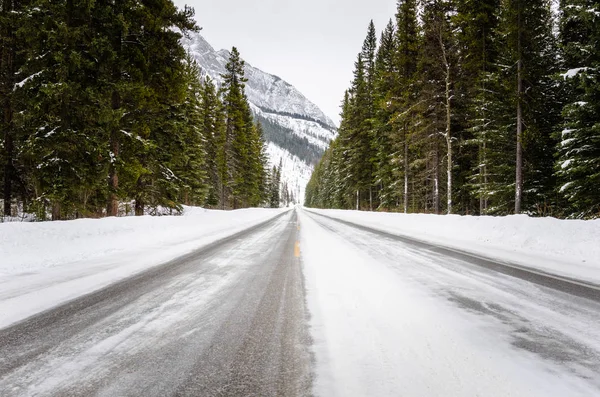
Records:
x=308, y=305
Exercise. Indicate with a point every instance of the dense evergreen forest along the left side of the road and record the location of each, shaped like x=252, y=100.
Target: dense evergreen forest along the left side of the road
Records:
x=105, y=113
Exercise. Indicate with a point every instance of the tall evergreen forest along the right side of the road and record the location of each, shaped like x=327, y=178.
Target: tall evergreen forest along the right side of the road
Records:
x=472, y=107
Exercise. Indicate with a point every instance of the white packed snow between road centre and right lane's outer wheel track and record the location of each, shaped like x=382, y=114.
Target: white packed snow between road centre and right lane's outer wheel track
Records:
x=378, y=334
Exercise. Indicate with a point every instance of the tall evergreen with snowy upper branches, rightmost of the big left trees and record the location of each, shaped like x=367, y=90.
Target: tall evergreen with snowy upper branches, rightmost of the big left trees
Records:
x=162, y=61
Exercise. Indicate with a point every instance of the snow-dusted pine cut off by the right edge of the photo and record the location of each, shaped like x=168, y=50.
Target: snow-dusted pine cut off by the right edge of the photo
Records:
x=578, y=162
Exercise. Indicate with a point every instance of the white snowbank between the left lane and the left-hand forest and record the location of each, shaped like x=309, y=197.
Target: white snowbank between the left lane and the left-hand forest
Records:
x=45, y=264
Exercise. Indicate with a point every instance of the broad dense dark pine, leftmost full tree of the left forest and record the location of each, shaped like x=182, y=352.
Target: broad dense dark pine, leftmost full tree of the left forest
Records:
x=63, y=102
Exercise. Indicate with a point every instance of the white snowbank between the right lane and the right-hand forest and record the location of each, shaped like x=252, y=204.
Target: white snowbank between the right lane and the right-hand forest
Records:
x=568, y=248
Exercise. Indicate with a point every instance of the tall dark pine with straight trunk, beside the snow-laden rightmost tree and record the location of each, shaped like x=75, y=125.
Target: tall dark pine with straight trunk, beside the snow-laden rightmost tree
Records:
x=528, y=50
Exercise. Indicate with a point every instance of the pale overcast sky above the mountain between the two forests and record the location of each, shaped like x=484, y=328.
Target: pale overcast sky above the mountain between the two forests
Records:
x=312, y=44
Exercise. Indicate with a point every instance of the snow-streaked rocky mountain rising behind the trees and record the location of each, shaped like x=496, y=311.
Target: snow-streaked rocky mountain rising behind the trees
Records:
x=296, y=130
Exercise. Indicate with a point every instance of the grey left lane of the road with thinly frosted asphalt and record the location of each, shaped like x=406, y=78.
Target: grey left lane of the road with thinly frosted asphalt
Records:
x=227, y=320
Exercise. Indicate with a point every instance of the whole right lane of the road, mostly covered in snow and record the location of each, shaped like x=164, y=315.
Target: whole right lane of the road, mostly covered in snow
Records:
x=390, y=320
